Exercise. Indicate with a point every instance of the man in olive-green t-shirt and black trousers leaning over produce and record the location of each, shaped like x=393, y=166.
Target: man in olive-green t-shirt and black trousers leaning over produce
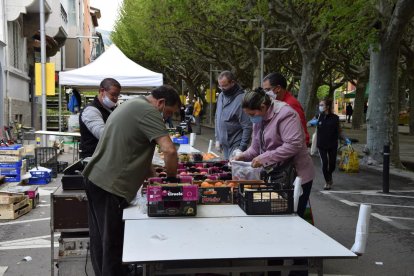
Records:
x=117, y=169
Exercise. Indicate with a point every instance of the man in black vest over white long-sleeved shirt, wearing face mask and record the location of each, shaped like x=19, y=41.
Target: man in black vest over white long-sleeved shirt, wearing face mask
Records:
x=93, y=117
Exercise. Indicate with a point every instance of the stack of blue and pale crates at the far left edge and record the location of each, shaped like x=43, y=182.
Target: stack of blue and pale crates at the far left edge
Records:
x=11, y=163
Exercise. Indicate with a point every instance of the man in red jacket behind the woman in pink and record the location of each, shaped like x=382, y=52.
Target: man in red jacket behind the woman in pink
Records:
x=275, y=86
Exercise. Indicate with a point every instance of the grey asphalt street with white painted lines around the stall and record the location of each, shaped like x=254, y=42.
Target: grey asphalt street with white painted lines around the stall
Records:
x=390, y=243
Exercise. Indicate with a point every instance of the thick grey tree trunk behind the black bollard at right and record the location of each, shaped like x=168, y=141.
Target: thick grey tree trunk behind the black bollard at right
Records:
x=381, y=116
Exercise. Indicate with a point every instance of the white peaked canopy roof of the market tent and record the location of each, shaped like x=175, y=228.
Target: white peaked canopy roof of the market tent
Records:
x=111, y=64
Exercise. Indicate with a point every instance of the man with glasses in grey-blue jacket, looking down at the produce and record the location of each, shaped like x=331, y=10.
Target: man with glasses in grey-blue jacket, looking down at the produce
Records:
x=232, y=126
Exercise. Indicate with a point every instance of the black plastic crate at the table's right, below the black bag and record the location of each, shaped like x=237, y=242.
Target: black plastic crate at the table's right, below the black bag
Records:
x=265, y=199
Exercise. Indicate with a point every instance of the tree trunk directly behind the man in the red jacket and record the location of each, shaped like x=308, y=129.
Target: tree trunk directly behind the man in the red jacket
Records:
x=311, y=64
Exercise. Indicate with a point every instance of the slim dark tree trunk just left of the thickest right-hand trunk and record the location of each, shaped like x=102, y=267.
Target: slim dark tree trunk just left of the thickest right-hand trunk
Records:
x=358, y=114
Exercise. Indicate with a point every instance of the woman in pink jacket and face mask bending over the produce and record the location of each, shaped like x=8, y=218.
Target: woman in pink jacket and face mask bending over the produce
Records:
x=277, y=137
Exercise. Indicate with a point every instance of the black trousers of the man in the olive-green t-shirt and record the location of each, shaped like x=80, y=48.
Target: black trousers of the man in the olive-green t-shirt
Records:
x=106, y=230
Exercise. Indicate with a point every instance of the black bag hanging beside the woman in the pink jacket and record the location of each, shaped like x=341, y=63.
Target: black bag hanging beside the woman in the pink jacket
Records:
x=281, y=176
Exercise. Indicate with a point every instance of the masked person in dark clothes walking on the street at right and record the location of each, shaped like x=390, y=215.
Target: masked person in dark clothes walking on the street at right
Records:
x=328, y=133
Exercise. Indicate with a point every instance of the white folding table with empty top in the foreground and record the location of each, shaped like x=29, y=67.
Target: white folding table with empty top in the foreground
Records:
x=225, y=232
